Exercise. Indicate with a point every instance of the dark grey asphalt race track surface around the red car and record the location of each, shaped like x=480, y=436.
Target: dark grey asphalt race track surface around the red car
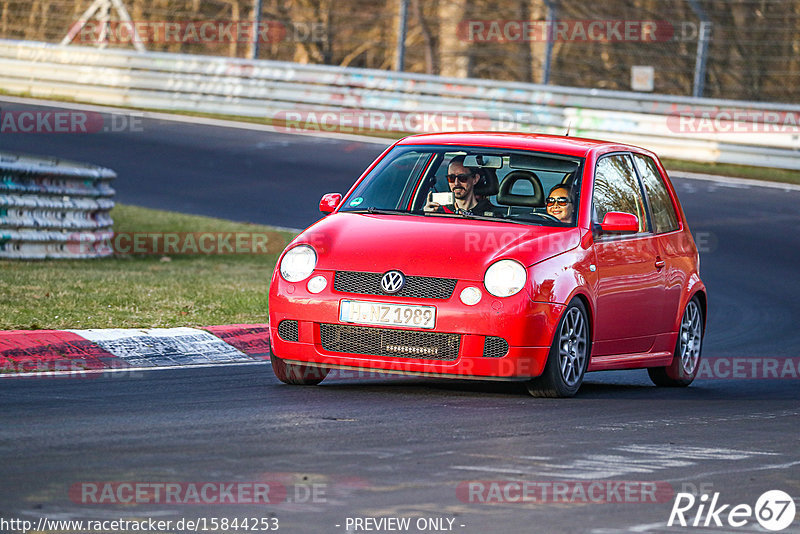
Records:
x=406, y=447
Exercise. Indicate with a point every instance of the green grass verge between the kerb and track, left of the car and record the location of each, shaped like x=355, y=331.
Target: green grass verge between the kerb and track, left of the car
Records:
x=142, y=291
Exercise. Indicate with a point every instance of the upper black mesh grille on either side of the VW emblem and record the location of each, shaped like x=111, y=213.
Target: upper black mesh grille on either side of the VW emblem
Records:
x=419, y=287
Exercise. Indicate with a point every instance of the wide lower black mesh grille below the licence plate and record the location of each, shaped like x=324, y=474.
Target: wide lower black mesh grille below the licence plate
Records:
x=389, y=342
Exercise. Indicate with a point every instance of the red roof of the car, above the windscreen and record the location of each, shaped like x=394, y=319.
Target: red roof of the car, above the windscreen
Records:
x=571, y=146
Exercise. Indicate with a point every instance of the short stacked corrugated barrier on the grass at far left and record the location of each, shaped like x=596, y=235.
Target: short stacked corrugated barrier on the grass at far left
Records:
x=54, y=209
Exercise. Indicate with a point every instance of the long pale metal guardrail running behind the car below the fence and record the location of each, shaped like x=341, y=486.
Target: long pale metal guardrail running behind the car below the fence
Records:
x=269, y=89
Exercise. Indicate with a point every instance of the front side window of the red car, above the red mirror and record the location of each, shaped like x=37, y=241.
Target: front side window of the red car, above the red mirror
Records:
x=616, y=188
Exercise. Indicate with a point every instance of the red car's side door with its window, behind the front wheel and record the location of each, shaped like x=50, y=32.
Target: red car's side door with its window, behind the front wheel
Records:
x=630, y=284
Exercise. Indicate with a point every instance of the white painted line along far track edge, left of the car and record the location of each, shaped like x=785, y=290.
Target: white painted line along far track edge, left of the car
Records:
x=188, y=119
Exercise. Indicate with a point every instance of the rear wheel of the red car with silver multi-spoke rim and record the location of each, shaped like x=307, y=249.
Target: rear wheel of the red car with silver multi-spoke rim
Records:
x=686, y=358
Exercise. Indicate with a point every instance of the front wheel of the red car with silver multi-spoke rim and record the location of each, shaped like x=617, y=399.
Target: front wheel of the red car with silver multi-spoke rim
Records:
x=569, y=356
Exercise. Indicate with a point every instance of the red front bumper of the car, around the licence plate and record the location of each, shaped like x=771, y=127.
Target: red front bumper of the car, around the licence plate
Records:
x=527, y=328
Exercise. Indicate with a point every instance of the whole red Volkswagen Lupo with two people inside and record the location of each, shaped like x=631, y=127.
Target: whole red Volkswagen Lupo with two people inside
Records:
x=491, y=255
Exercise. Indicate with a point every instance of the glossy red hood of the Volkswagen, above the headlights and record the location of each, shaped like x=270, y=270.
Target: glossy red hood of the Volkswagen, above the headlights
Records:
x=429, y=246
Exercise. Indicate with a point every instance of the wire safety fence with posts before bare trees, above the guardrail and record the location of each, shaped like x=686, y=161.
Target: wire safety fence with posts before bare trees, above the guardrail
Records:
x=733, y=49
